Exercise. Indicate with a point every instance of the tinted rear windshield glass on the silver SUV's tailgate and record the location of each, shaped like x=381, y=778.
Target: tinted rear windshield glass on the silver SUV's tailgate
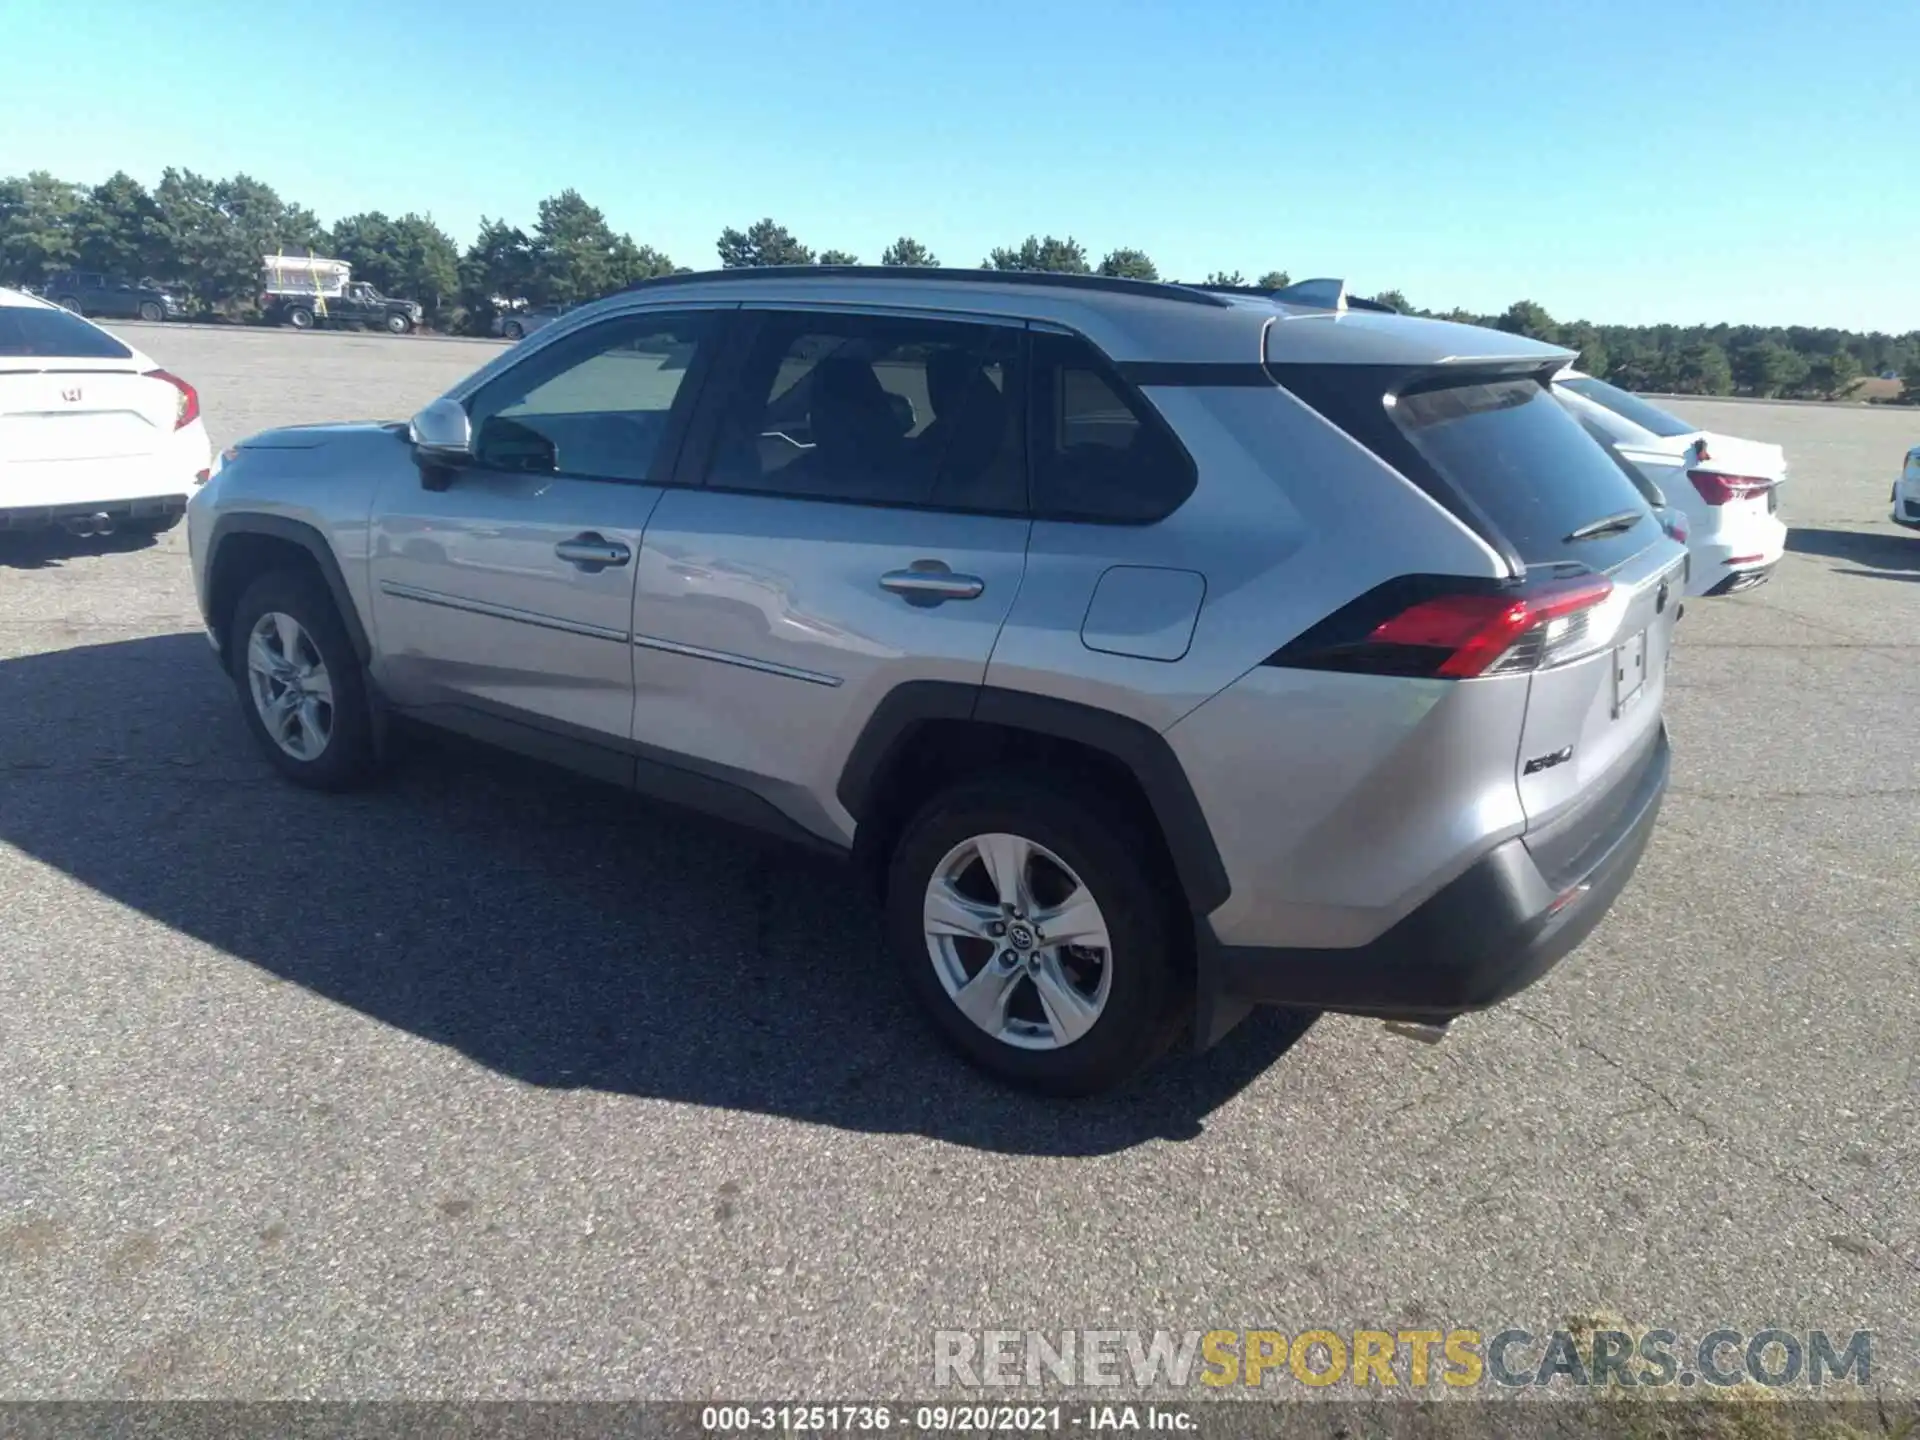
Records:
x=1529, y=466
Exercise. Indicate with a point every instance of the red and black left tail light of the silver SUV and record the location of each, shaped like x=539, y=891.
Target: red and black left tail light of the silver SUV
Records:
x=1454, y=629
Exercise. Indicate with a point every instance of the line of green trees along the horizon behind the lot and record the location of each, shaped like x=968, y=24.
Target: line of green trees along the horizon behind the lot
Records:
x=206, y=237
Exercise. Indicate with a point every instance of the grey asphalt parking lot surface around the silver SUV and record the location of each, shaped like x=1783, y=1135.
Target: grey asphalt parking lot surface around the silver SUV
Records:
x=491, y=1084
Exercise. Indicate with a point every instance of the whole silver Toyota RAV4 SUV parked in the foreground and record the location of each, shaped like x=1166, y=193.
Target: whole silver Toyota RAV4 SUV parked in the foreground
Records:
x=1159, y=652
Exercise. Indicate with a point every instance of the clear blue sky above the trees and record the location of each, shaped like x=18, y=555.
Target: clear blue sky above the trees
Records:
x=1696, y=160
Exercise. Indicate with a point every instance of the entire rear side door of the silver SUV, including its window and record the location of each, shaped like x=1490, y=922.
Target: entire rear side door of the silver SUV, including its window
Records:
x=777, y=604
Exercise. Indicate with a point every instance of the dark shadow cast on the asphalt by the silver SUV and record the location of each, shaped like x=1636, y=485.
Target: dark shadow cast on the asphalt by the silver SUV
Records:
x=554, y=930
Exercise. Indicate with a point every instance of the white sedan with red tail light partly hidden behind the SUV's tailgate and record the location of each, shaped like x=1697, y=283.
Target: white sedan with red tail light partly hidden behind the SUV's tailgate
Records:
x=1723, y=485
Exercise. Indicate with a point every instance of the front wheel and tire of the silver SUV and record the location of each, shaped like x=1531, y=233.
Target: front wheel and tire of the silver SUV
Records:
x=302, y=688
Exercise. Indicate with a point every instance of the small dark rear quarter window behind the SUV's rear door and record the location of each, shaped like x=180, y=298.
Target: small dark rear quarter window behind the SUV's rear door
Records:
x=1099, y=450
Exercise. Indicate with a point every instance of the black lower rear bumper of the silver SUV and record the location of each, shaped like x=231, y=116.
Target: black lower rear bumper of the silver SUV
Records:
x=1481, y=940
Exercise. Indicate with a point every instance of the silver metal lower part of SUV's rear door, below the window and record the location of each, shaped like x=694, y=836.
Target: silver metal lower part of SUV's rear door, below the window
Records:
x=763, y=638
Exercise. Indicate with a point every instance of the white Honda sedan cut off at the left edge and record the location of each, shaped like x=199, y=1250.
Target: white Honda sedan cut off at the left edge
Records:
x=95, y=437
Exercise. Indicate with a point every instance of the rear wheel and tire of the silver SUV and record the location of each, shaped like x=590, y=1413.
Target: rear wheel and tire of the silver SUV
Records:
x=1038, y=932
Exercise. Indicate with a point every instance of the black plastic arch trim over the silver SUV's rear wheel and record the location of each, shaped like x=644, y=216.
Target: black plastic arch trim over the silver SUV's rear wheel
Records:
x=1145, y=752
